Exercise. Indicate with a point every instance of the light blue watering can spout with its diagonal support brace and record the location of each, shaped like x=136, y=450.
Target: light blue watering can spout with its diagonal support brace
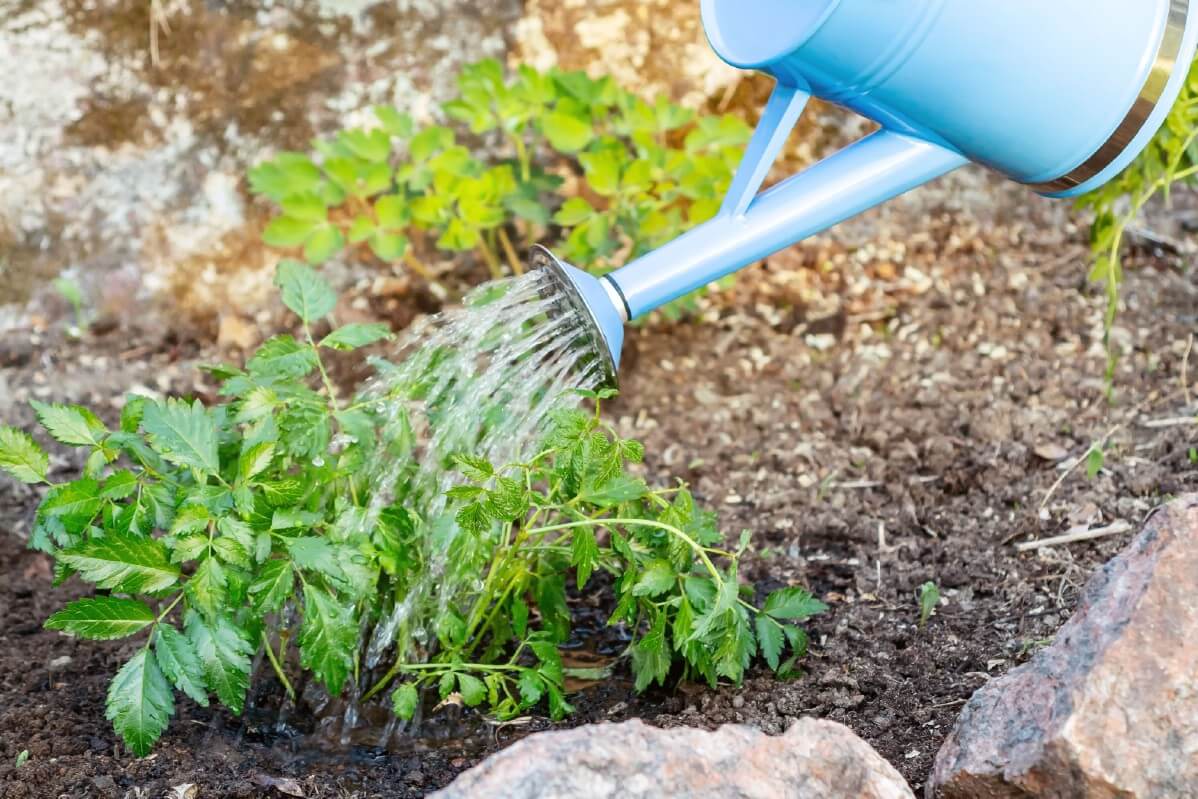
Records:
x=752, y=227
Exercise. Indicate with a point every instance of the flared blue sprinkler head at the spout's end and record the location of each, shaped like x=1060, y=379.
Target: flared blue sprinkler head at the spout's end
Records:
x=596, y=302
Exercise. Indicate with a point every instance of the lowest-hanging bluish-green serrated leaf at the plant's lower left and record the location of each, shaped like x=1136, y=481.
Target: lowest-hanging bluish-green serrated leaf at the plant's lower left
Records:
x=141, y=703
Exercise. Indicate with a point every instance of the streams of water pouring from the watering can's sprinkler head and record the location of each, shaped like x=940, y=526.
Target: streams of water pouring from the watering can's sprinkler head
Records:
x=482, y=379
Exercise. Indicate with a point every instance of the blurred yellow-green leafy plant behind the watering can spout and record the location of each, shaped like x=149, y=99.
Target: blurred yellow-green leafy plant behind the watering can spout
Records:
x=649, y=172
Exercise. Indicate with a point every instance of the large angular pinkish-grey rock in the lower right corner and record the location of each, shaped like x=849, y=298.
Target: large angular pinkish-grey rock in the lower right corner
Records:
x=1111, y=709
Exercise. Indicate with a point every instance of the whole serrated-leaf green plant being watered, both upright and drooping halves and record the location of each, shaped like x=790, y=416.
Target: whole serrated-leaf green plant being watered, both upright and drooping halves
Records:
x=221, y=534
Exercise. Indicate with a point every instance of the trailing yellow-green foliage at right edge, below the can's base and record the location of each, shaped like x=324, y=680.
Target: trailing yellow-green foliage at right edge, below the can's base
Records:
x=1171, y=159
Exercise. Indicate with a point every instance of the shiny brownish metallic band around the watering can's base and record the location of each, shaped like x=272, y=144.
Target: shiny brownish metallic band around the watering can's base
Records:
x=1141, y=111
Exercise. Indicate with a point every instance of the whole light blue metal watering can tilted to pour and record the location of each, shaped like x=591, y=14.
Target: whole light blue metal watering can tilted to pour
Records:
x=1060, y=95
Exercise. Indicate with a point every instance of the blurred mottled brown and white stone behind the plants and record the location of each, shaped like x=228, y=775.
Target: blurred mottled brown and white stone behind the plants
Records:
x=128, y=129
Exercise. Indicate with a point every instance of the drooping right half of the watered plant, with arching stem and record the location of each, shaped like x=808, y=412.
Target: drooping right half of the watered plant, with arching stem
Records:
x=577, y=509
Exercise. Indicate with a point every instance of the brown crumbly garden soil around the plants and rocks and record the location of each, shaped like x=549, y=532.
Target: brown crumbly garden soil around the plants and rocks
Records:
x=879, y=416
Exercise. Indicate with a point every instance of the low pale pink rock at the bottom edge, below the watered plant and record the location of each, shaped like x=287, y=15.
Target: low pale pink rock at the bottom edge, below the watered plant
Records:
x=814, y=760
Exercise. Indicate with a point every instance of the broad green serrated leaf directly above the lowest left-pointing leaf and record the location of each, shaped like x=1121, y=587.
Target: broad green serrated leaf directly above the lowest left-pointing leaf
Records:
x=128, y=565
